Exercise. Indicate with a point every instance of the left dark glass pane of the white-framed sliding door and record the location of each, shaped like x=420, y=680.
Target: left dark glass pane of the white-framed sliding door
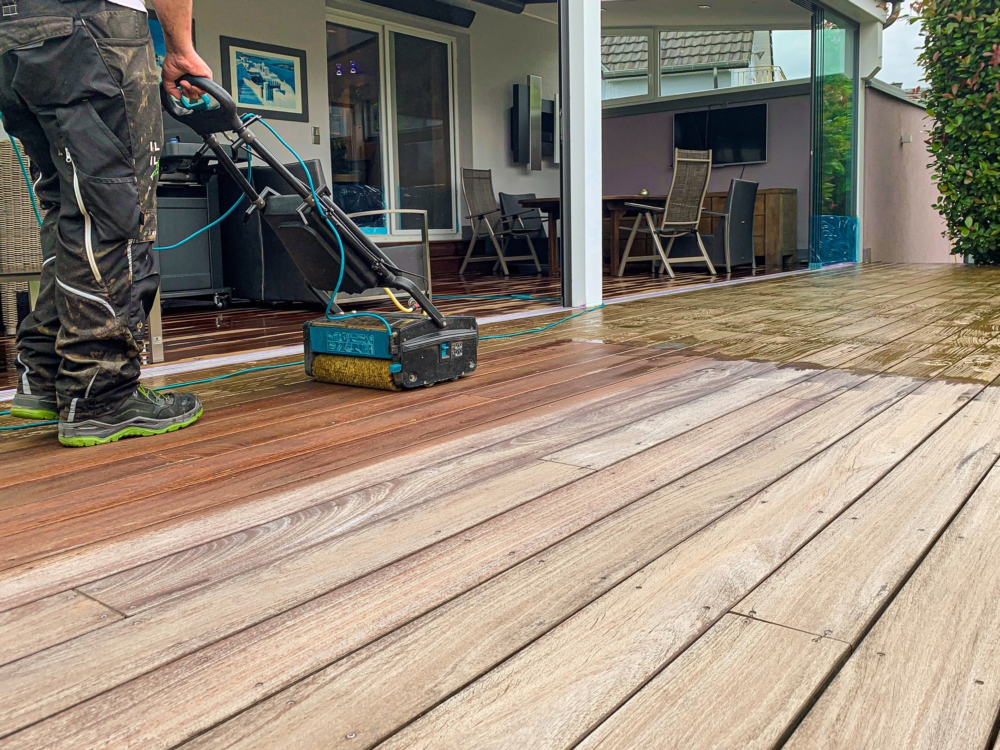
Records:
x=355, y=87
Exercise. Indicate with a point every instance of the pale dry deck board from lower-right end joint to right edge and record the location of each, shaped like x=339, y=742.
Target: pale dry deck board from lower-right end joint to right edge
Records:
x=842, y=580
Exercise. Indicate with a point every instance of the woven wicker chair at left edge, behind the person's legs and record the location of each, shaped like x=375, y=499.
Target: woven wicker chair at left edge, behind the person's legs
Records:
x=20, y=246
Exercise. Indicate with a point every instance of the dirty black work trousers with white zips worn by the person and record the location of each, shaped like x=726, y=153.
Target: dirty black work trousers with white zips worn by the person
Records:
x=79, y=89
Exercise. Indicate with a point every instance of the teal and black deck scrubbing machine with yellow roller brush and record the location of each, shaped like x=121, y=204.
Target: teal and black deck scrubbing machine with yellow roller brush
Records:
x=390, y=351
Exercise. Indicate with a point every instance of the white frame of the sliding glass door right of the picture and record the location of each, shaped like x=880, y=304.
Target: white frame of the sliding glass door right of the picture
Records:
x=387, y=147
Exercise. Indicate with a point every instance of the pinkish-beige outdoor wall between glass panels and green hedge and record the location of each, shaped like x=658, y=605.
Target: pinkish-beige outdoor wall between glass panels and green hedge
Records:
x=900, y=226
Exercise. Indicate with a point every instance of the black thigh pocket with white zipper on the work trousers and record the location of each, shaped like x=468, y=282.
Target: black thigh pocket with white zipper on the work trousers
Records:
x=104, y=180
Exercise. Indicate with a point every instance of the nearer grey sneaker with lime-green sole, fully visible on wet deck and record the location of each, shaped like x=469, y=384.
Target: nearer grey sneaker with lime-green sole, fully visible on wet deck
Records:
x=143, y=414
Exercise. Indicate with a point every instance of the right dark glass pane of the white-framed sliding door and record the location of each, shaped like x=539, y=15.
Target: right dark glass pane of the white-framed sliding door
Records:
x=422, y=107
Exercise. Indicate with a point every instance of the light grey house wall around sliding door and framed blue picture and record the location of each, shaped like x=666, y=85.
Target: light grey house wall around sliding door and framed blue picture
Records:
x=499, y=50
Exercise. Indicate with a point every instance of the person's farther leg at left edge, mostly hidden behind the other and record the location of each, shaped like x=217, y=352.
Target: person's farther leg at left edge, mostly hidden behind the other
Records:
x=37, y=362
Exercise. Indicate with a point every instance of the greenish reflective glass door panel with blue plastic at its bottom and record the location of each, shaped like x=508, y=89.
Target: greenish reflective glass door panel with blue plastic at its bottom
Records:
x=834, y=224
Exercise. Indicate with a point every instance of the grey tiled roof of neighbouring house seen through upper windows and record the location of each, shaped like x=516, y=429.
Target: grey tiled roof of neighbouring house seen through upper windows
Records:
x=679, y=49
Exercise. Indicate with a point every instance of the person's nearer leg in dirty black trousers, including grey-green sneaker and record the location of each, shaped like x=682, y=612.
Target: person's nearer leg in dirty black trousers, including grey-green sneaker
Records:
x=95, y=95
